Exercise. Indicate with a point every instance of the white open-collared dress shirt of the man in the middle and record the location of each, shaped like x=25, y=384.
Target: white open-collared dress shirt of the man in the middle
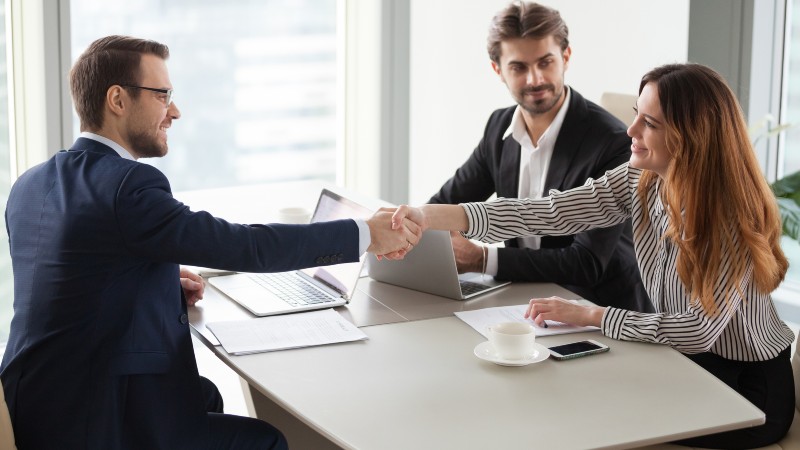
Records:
x=534, y=161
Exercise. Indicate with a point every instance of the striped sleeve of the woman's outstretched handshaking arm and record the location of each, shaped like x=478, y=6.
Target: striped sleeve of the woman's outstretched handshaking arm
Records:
x=598, y=203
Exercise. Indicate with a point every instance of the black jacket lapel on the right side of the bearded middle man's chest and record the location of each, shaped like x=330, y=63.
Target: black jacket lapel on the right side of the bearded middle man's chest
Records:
x=567, y=142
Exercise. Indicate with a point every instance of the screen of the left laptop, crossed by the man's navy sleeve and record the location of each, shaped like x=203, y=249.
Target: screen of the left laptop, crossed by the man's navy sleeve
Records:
x=341, y=277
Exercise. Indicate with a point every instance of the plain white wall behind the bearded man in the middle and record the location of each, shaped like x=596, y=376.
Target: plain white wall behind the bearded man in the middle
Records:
x=453, y=89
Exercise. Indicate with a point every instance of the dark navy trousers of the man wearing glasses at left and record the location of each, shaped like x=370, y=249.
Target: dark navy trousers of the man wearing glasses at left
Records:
x=227, y=431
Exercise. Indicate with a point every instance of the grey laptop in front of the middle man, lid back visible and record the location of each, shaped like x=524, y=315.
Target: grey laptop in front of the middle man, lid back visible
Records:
x=431, y=267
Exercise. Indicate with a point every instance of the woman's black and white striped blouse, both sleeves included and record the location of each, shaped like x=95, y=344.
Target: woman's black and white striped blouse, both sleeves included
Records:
x=750, y=330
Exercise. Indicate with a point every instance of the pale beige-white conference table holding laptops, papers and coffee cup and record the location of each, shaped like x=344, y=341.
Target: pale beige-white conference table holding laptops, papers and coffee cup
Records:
x=417, y=384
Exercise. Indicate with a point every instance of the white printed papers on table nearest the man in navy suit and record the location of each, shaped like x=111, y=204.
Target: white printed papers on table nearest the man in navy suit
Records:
x=265, y=334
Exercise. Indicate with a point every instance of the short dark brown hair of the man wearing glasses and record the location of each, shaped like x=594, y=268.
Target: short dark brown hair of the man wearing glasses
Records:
x=109, y=61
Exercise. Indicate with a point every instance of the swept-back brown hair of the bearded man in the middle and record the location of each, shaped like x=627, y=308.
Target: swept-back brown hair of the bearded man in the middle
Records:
x=526, y=20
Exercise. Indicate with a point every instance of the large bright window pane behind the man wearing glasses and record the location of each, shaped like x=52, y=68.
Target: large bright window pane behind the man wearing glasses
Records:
x=255, y=82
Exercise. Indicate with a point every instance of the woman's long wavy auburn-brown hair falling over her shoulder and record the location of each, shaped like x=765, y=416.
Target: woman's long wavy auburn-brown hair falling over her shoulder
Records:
x=722, y=212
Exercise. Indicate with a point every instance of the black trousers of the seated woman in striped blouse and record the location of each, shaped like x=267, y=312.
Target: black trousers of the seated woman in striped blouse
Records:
x=769, y=385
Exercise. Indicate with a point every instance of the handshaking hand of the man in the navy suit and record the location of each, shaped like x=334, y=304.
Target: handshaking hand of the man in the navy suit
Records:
x=388, y=240
